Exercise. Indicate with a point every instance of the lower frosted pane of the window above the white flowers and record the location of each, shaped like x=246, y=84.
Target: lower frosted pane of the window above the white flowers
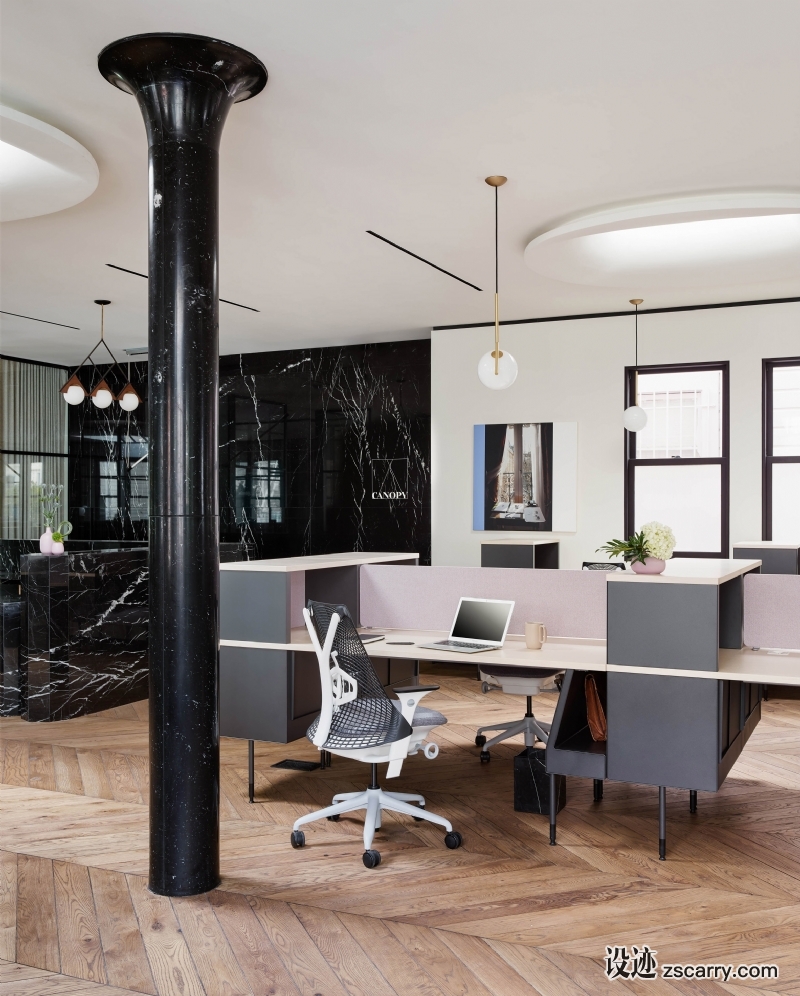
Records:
x=687, y=498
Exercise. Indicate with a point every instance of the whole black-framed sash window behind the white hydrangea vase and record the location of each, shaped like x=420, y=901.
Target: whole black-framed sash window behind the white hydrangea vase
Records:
x=677, y=469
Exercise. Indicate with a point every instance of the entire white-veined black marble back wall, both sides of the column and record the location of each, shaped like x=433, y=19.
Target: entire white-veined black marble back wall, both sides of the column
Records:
x=307, y=437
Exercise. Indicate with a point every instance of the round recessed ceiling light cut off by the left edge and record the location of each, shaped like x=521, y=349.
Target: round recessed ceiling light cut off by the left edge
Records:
x=41, y=169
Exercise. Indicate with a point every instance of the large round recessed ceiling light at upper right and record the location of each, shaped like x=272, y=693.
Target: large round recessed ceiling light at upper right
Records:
x=680, y=242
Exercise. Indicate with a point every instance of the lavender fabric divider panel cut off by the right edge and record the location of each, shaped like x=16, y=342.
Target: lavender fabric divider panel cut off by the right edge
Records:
x=772, y=611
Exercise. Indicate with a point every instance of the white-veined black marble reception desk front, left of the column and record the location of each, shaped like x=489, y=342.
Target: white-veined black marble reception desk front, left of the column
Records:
x=83, y=633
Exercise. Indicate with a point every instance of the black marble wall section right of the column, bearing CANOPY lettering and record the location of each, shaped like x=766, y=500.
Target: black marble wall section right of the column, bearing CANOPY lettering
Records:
x=327, y=450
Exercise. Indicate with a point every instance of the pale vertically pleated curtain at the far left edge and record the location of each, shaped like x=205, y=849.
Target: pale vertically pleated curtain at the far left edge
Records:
x=33, y=444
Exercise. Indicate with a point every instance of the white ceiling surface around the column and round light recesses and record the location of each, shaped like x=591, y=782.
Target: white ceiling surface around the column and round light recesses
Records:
x=388, y=116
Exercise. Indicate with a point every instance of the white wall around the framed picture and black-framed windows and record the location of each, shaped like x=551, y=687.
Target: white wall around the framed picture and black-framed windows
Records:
x=574, y=371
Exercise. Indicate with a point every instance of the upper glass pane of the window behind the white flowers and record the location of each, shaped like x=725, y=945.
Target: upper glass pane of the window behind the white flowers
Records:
x=684, y=415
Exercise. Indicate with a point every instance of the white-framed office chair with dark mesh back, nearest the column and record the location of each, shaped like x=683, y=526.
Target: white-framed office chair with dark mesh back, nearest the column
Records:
x=359, y=720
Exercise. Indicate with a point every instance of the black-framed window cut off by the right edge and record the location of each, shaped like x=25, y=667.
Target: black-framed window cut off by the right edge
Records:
x=780, y=507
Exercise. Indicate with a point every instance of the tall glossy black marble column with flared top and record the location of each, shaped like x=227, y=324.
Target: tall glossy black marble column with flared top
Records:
x=185, y=86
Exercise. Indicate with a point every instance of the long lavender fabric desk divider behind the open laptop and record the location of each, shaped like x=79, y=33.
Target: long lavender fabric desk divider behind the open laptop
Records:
x=569, y=603
